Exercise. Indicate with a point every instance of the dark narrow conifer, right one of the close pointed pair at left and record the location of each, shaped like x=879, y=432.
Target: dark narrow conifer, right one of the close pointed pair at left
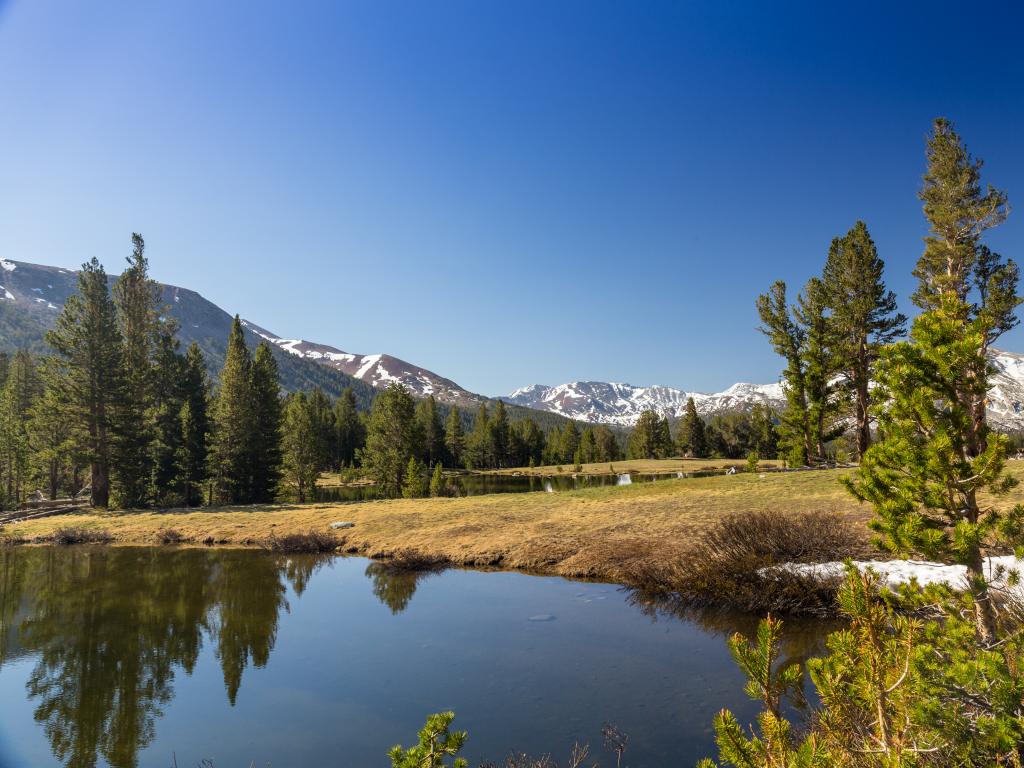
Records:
x=268, y=419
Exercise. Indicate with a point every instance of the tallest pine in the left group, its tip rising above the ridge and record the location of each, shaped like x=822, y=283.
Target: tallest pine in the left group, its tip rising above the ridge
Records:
x=138, y=302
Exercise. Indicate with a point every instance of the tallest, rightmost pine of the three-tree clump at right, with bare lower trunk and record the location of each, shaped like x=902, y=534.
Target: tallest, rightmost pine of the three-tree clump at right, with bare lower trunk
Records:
x=865, y=316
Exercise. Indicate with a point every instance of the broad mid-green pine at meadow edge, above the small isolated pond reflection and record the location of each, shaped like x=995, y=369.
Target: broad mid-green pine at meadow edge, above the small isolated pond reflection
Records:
x=391, y=439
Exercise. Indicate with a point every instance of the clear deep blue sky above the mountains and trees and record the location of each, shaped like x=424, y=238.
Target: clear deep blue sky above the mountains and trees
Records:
x=505, y=193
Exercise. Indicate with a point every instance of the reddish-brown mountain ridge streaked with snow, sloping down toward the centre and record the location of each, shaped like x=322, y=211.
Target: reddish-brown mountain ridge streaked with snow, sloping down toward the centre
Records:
x=376, y=370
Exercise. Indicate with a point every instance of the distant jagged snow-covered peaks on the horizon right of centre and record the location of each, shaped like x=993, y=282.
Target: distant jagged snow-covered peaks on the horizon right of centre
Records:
x=622, y=404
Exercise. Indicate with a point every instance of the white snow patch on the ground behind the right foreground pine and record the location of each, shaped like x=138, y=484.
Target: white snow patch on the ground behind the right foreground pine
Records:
x=897, y=573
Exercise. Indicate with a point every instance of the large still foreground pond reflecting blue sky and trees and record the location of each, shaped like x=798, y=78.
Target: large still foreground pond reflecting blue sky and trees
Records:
x=141, y=657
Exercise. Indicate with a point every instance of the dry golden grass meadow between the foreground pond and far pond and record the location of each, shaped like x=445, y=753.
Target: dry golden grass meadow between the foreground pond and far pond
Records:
x=602, y=533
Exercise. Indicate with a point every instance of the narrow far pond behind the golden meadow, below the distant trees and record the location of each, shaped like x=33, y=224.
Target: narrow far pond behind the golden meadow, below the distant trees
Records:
x=479, y=485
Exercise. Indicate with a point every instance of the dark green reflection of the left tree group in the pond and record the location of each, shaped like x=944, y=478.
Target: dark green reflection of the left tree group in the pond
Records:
x=110, y=628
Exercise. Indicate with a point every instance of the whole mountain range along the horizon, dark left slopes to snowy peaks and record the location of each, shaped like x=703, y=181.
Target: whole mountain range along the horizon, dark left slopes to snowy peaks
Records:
x=31, y=297
